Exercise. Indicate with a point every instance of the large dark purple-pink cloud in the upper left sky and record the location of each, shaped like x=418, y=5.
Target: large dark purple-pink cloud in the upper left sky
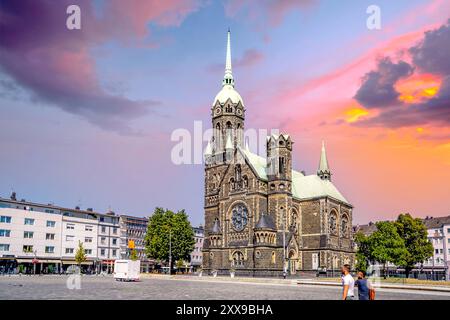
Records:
x=55, y=65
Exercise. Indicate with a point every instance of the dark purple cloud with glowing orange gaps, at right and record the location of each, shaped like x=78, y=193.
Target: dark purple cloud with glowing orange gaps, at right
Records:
x=426, y=93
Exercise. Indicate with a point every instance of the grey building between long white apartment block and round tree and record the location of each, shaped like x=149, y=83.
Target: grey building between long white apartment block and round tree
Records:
x=132, y=234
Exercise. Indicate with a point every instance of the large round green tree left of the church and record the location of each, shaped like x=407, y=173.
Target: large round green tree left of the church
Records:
x=165, y=227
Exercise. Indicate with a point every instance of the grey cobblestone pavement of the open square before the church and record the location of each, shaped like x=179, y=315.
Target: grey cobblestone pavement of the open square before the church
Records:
x=99, y=287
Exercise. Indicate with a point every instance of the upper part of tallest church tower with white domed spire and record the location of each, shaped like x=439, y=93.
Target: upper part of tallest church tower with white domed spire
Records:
x=228, y=114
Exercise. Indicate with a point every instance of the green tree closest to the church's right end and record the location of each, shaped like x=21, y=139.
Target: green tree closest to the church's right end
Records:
x=386, y=245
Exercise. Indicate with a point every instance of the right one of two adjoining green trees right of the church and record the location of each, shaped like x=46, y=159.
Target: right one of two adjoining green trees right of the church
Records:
x=414, y=235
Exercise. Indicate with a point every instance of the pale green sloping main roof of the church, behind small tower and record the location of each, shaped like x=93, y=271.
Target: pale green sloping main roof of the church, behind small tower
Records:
x=303, y=187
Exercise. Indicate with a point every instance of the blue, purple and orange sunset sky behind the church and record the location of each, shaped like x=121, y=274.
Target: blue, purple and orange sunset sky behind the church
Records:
x=86, y=116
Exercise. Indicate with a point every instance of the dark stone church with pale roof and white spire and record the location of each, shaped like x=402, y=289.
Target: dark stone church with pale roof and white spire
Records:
x=262, y=217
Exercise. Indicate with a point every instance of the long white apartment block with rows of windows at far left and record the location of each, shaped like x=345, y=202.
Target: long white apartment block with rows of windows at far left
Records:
x=36, y=238
